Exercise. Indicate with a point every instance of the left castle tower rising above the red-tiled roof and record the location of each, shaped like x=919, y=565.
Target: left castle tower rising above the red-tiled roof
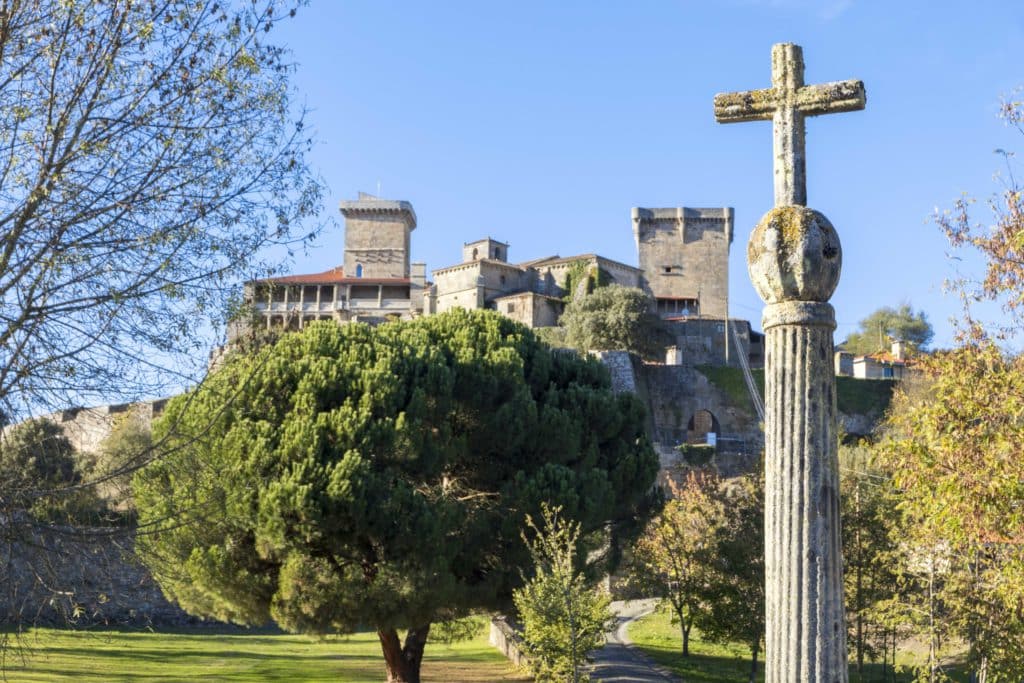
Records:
x=377, y=238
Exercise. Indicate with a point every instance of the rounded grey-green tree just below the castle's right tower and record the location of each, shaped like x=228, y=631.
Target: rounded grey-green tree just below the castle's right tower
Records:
x=614, y=318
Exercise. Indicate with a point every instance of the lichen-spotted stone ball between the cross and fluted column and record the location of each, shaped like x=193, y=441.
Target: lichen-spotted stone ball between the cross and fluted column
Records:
x=794, y=255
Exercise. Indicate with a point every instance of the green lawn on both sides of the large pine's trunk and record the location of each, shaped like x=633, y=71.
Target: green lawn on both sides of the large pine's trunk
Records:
x=53, y=655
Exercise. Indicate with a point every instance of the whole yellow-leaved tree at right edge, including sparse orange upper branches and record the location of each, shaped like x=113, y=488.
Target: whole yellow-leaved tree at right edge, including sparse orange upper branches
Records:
x=953, y=449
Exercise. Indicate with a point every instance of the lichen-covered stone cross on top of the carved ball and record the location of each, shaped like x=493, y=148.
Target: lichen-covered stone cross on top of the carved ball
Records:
x=787, y=103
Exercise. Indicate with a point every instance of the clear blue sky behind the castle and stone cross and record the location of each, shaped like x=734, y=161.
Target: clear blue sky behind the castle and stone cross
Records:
x=542, y=124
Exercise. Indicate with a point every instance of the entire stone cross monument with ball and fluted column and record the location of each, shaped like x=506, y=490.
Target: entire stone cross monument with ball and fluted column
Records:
x=795, y=259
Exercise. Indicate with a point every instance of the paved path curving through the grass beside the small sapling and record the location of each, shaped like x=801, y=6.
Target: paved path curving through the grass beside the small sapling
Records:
x=619, y=662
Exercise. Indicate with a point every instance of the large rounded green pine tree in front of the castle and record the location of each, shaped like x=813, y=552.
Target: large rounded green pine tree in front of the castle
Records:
x=354, y=476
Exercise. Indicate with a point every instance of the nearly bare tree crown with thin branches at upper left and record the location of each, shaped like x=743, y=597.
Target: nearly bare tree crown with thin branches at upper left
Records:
x=149, y=154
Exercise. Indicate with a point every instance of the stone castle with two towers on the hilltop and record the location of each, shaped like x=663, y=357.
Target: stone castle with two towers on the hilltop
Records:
x=684, y=267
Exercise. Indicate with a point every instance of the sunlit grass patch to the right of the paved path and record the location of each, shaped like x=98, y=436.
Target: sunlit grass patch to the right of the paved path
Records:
x=711, y=663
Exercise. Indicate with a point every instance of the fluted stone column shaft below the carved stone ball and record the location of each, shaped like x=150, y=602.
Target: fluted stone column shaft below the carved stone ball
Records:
x=806, y=633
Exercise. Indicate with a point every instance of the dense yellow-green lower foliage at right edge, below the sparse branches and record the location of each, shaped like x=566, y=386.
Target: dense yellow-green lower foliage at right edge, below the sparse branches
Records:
x=953, y=448
